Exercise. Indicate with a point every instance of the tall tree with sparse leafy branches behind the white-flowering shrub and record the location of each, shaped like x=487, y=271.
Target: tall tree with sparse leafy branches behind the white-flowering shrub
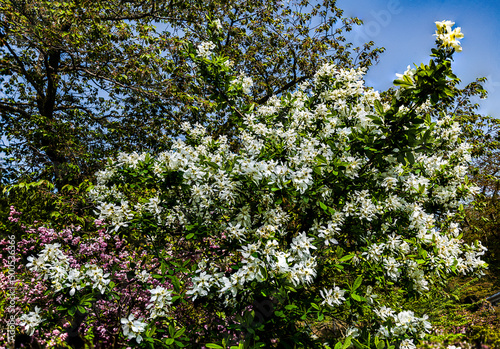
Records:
x=84, y=79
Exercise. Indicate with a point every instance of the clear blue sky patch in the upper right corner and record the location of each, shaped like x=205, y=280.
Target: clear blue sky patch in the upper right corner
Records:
x=405, y=28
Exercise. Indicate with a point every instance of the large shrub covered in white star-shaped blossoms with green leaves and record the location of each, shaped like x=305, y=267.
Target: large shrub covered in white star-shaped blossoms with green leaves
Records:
x=324, y=204
